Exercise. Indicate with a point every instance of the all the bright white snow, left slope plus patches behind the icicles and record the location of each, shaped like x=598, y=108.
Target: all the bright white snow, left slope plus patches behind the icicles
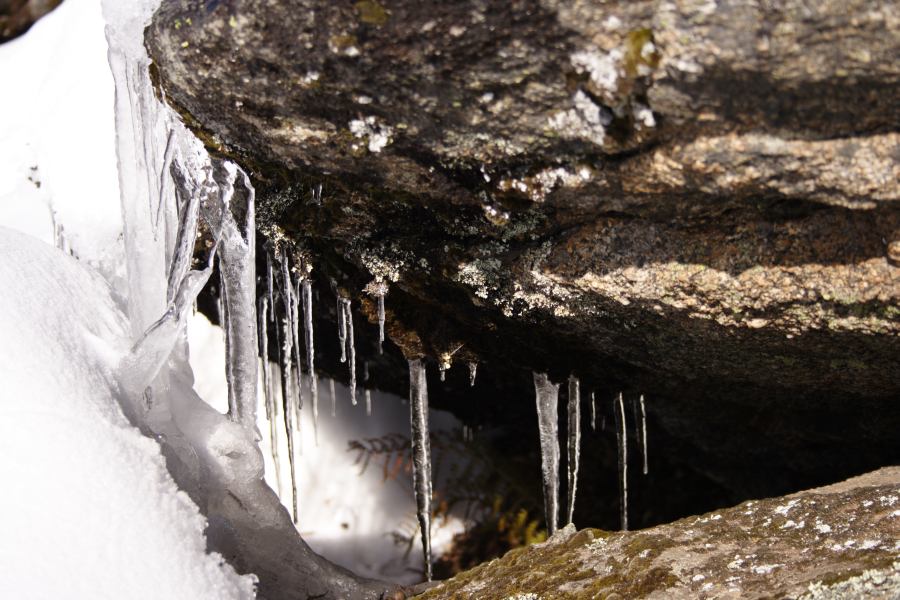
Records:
x=85, y=496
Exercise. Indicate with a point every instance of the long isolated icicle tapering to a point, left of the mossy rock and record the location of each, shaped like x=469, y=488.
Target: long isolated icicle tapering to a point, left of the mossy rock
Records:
x=421, y=447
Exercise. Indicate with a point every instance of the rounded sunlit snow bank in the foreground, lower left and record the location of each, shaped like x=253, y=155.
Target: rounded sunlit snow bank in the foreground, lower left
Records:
x=88, y=509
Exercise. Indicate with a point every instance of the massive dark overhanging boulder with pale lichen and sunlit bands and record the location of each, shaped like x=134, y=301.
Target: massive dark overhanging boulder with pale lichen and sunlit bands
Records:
x=693, y=200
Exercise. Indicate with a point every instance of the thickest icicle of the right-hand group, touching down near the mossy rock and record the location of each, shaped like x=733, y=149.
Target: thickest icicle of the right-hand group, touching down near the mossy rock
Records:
x=546, y=397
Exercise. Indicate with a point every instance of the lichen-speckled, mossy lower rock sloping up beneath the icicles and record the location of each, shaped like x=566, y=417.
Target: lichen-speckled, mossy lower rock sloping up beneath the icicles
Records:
x=841, y=541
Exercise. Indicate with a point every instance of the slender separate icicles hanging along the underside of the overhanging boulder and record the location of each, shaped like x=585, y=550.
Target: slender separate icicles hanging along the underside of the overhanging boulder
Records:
x=293, y=285
